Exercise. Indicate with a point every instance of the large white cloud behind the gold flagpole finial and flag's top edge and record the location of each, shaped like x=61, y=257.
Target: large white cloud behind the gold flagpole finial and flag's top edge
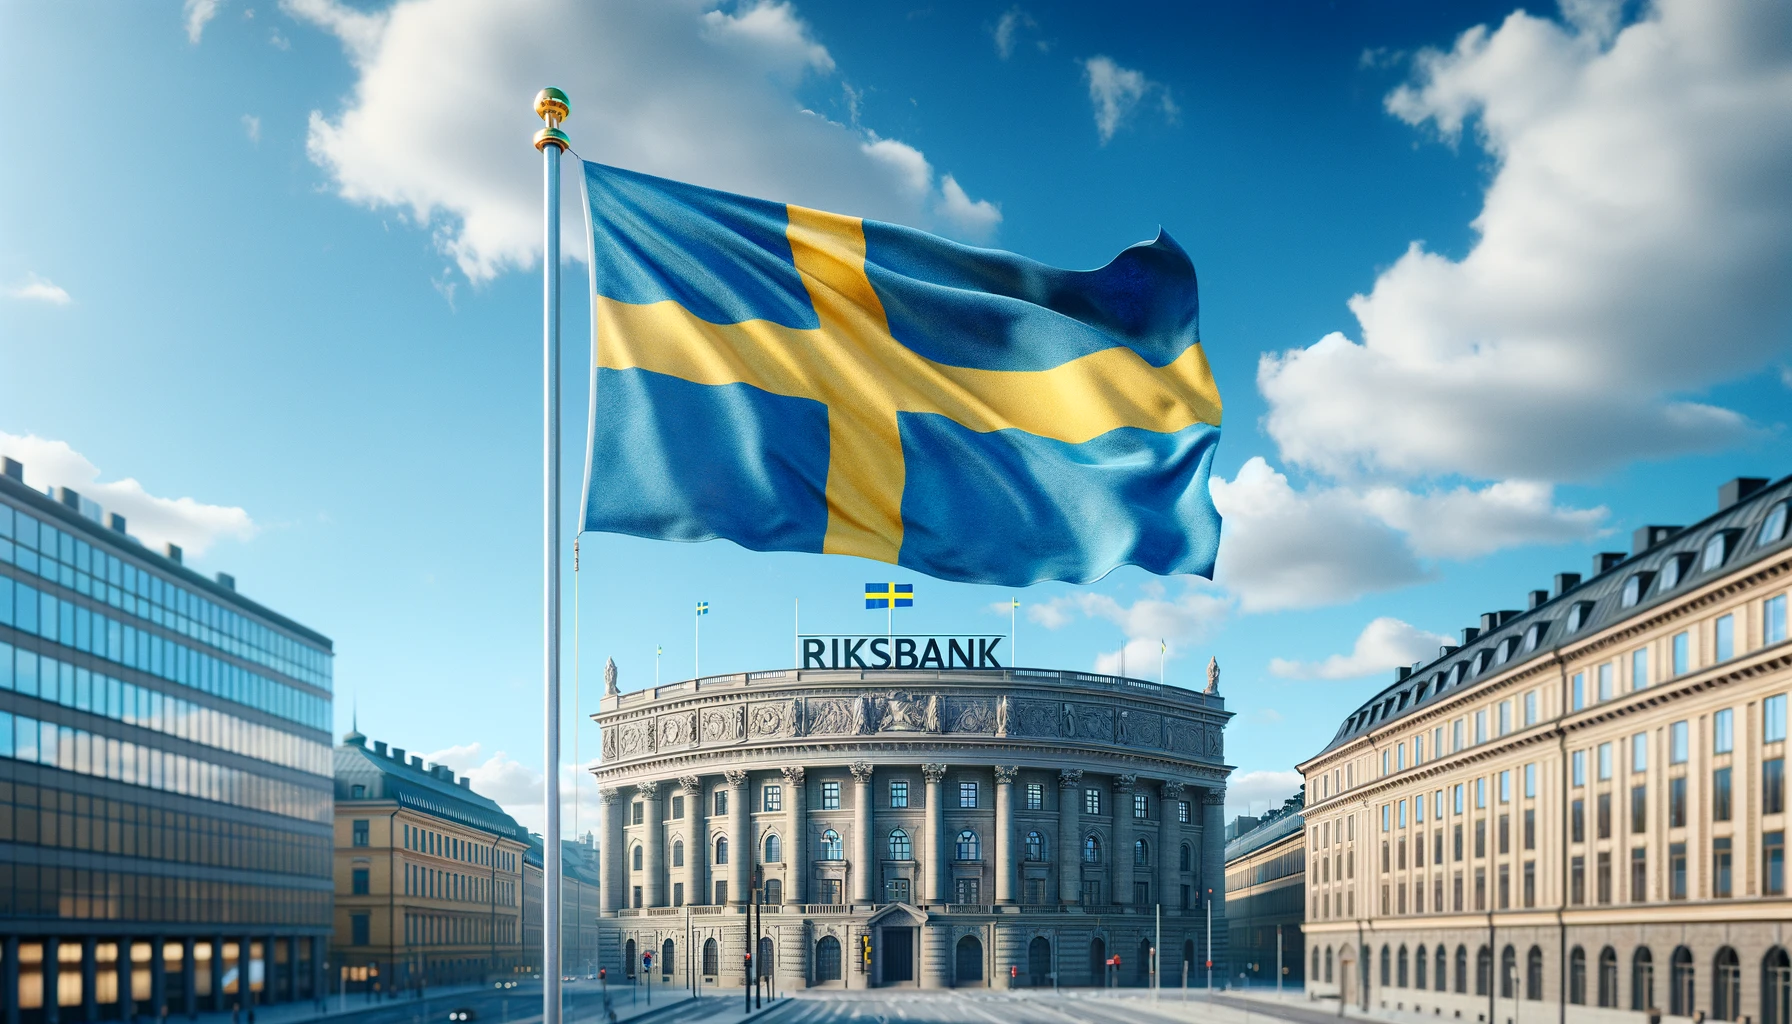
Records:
x=438, y=119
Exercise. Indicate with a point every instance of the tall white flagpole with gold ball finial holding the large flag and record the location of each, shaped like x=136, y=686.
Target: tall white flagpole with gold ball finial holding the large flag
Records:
x=553, y=108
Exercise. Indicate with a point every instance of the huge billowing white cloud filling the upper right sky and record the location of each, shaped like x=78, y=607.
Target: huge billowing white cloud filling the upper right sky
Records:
x=1630, y=254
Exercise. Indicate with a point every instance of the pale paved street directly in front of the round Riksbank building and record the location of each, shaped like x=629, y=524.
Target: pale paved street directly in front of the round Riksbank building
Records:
x=1033, y=1007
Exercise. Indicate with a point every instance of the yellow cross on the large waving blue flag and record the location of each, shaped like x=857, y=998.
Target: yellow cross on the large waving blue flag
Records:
x=866, y=377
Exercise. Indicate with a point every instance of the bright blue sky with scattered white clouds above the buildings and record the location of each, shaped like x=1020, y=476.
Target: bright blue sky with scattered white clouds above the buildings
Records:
x=1483, y=291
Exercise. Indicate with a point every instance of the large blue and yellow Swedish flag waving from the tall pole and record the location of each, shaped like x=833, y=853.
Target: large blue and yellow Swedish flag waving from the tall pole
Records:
x=802, y=381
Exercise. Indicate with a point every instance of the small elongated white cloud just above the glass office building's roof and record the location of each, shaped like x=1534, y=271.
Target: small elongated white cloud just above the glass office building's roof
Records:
x=153, y=519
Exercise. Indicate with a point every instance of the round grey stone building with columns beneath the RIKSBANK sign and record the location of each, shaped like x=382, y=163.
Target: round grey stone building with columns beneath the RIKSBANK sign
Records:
x=979, y=828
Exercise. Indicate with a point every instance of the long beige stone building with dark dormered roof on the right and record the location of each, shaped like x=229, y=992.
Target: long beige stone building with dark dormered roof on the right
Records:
x=1580, y=811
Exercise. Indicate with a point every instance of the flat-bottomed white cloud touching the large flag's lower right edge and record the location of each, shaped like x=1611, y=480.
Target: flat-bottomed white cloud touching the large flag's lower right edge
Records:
x=1286, y=548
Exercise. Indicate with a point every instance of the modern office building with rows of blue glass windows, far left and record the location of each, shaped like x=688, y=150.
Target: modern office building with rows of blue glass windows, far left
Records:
x=166, y=777
